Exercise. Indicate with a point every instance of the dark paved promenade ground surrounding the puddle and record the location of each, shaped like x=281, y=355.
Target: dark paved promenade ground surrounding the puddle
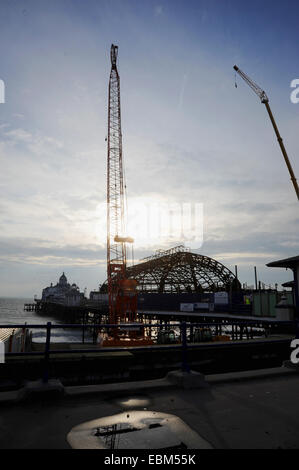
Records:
x=251, y=413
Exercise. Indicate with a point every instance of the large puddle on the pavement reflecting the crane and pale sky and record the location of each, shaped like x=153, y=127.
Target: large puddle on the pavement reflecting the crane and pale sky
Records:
x=136, y=430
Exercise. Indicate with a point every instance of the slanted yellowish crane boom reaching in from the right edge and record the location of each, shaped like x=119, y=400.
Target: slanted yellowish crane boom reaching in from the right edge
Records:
x=265, y=100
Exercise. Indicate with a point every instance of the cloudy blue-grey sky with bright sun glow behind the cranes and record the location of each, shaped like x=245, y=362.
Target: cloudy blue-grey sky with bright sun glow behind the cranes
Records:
x=190, y=136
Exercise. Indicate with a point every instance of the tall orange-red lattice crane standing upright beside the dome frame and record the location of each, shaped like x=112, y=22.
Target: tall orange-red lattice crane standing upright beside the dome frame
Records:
x=122, y=292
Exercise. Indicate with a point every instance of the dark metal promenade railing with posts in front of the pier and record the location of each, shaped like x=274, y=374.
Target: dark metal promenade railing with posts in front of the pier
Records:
x=184, y=342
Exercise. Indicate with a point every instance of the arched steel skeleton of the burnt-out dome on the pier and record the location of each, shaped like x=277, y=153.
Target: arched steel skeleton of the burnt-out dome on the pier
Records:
x=178, y=270
